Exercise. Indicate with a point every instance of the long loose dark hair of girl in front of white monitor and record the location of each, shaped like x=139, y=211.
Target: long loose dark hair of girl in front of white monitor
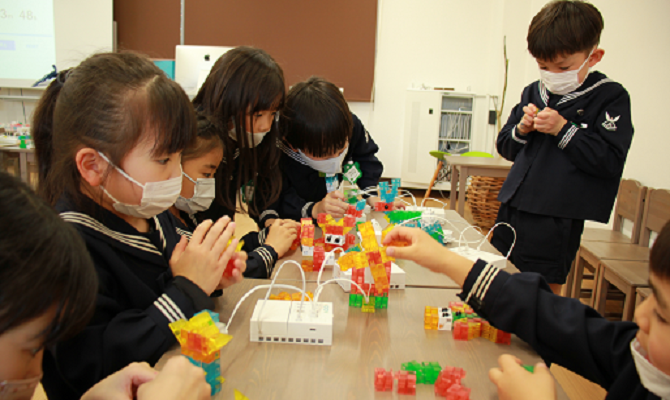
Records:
x=244, y=81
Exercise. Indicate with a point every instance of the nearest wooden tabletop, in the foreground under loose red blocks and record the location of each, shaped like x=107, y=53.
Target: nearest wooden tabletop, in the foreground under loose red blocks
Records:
x=361, y=343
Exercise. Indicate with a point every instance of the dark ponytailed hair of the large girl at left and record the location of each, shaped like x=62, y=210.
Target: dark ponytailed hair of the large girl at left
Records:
x=109, y=103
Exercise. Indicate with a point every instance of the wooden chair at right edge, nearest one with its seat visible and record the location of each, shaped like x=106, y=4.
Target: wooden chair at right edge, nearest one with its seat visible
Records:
x=625, y=266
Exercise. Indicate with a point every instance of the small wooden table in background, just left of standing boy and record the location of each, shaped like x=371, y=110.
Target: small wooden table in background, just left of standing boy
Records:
x=463, y=167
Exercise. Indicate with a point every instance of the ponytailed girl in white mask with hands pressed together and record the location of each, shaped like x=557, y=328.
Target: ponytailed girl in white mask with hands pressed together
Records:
x=109, y=135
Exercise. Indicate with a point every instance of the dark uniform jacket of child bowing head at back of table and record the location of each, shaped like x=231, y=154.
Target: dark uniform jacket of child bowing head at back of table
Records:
x=303, y=187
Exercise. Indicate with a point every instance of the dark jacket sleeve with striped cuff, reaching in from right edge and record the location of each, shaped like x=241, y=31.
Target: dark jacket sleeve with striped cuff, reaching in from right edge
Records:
x=562, y=330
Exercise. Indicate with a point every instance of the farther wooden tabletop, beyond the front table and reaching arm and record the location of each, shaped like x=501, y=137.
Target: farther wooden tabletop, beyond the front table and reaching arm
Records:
x=416, y=275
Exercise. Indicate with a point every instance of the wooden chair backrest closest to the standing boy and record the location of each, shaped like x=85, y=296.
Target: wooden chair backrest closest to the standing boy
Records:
x=630, y=206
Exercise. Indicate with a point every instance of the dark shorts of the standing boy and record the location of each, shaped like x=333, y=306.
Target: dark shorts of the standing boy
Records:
x=546, y=245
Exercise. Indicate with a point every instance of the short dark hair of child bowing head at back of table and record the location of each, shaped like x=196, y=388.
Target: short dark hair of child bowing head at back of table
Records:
x=316, y=118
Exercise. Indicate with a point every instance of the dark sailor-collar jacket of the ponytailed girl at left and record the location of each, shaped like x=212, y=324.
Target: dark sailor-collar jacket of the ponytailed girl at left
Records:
x=138, y=297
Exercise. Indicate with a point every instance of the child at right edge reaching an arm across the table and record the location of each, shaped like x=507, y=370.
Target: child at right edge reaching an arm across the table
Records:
x=631, y=360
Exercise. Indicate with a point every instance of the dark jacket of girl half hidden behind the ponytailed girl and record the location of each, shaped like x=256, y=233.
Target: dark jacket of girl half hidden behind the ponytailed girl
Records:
x=261, y=257
